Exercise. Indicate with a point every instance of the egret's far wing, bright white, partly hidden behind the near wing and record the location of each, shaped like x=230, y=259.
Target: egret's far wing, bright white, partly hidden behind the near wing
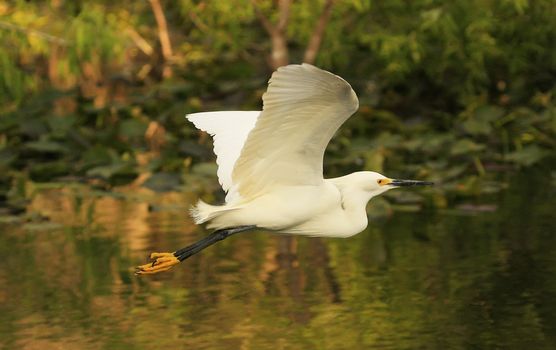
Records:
x=229, y=131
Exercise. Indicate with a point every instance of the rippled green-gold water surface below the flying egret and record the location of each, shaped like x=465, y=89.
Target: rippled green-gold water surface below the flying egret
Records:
x=483, y=278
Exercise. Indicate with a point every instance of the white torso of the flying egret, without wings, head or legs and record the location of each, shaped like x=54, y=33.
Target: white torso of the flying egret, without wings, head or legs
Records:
x=317, y=210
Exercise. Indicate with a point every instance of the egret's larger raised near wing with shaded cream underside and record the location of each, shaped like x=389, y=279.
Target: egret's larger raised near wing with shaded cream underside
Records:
x=302, y=109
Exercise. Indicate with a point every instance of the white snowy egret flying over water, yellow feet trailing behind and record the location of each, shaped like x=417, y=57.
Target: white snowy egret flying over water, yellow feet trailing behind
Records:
x=270, y=165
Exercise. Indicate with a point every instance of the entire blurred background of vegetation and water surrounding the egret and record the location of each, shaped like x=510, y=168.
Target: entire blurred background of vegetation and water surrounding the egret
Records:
x=93, y=96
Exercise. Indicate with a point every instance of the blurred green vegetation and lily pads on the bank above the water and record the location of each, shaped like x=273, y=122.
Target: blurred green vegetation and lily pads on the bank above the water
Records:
x=96, y=91
